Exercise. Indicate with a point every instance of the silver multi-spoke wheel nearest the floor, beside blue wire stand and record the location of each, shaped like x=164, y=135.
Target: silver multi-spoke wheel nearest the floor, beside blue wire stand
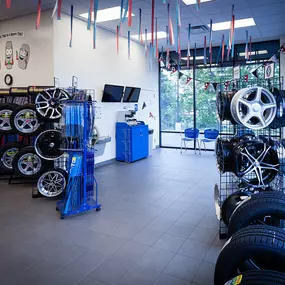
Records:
x=57, y=190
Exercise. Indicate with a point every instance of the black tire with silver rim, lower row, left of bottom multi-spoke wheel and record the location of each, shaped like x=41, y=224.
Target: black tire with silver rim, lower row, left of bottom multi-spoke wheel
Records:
x=37, y=164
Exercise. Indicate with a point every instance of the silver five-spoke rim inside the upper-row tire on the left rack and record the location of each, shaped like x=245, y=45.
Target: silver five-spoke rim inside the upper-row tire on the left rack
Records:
x=26, y=121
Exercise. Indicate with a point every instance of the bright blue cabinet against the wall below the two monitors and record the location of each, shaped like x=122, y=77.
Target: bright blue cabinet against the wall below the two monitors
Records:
x=131, y=142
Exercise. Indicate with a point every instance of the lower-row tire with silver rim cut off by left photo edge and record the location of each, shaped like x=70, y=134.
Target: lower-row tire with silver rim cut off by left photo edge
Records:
x=7, y=153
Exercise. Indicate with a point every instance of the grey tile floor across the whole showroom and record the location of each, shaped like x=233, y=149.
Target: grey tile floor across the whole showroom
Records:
x=157, y=226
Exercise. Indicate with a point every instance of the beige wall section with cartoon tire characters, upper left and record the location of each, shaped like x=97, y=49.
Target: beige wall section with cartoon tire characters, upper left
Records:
x=40, y=69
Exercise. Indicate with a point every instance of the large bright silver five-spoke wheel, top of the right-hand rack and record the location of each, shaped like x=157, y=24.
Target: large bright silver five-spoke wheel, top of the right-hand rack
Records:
x=254, y=107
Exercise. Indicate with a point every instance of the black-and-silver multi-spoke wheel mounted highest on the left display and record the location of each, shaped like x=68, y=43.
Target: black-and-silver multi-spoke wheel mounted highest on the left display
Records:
x=49, y=103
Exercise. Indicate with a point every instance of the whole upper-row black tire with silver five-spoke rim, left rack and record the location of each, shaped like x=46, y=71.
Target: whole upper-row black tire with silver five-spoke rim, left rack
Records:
x=30, y=128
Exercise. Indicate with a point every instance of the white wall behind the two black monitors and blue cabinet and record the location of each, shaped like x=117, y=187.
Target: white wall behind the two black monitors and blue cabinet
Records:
x=95, y=68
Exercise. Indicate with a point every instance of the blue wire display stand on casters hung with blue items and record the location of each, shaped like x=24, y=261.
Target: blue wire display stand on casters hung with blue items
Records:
x=81, y=193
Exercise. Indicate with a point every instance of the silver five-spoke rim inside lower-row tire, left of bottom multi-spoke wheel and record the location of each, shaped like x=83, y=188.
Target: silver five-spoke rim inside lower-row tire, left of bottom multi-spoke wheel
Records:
x=29, y=164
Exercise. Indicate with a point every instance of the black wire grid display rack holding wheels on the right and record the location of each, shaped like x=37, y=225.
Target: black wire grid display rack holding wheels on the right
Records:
x=267, y=139
